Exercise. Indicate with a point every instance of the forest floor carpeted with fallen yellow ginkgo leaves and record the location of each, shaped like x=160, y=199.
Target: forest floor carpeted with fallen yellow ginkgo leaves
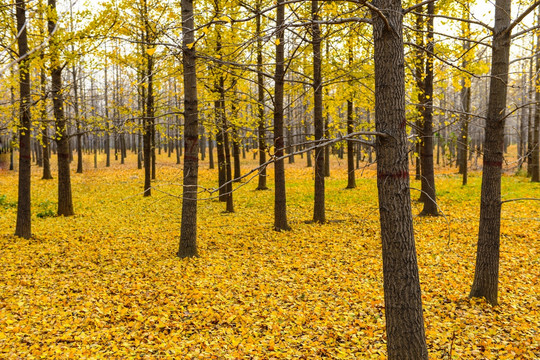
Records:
x=106, y=283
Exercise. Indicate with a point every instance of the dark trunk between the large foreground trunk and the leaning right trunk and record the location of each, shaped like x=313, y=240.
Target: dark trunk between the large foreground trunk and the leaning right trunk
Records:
x=426, y=148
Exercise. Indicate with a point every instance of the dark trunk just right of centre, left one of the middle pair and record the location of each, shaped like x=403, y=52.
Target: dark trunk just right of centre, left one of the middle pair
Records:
x=280, y=198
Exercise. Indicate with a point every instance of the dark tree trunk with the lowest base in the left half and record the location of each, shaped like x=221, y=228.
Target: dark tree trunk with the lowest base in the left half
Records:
x=188, y=233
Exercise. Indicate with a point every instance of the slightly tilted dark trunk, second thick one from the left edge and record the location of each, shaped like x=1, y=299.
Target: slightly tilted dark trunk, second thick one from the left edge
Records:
x=65, y=202
